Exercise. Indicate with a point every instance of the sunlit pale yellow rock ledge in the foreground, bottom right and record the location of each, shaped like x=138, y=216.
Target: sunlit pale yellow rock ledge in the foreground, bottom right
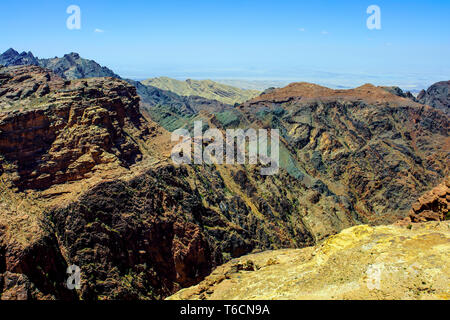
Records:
x=386, y=262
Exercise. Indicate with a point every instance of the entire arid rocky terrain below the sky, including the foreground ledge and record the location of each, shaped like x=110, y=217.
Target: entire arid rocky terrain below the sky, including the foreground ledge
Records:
x=86, y=179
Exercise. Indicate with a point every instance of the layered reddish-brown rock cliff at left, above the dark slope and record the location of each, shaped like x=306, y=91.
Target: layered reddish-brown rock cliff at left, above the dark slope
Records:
x=54, y=131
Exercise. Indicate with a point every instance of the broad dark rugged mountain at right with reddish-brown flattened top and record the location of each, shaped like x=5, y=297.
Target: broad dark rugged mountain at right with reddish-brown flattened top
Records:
x=375, y=149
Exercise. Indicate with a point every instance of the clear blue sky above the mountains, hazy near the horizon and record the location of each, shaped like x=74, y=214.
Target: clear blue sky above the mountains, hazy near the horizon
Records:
x=319, y=41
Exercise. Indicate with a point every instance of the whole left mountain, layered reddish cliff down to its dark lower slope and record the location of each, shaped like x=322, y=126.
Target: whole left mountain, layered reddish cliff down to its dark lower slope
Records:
x=95, y=189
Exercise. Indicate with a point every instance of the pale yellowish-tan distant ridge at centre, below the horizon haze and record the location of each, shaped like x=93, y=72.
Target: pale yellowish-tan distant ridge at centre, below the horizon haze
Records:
x=203, y=88
